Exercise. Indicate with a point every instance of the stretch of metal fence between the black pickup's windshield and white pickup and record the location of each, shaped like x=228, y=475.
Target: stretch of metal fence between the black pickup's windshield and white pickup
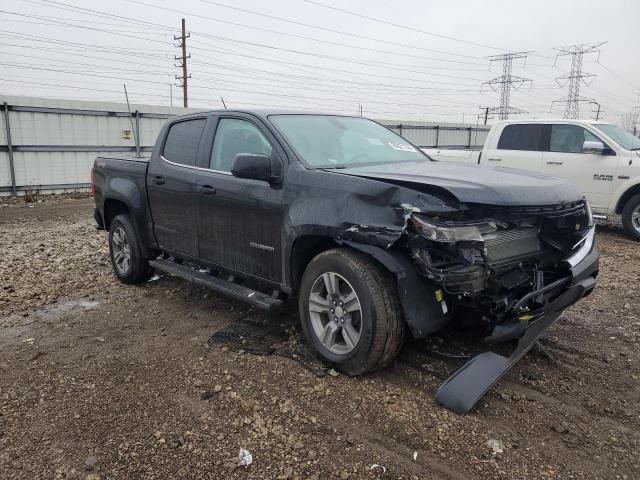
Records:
x=442, y=136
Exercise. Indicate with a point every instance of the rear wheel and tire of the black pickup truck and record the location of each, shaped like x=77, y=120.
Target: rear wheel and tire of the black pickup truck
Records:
x=124, y=242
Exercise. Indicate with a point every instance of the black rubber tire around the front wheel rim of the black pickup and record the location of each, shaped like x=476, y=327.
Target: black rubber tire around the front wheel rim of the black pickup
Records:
x=381, y=324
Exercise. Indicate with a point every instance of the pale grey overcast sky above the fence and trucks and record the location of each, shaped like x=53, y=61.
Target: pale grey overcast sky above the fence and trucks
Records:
x=410, y=60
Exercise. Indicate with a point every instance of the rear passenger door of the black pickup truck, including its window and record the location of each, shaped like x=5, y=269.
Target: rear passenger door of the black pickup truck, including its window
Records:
x=171, y=180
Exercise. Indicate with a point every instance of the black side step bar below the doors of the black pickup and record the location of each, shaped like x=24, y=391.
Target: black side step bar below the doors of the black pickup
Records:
x=239, y=292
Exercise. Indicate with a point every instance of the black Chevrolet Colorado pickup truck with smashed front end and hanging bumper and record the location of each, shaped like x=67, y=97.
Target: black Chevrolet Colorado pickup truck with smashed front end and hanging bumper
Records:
x=374, y=239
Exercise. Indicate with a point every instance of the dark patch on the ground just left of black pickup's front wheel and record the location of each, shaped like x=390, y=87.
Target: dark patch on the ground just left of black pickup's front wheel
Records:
x=256, y=335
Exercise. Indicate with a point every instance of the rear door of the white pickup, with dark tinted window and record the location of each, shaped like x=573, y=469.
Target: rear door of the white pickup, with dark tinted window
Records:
x=519, y=146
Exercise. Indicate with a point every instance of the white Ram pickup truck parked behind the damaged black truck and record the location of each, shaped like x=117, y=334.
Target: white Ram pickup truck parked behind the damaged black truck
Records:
x=602, y=159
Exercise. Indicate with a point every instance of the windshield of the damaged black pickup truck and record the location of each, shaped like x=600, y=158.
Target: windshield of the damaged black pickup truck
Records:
x=324, y=141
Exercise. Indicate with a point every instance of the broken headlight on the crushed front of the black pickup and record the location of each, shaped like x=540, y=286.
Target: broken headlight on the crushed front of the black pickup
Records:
x=455, y=231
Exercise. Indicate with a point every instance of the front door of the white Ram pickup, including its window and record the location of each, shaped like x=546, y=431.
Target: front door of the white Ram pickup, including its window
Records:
x=594, y=174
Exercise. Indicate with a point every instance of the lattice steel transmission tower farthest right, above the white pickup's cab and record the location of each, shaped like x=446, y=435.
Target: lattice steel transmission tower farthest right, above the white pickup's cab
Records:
x=576, y=77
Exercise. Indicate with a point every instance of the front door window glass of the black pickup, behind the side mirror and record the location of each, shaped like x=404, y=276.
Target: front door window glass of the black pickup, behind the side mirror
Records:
x=235, y=136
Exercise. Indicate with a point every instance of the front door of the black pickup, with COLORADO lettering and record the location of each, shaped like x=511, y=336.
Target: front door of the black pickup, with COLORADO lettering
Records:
x=239, y=220
